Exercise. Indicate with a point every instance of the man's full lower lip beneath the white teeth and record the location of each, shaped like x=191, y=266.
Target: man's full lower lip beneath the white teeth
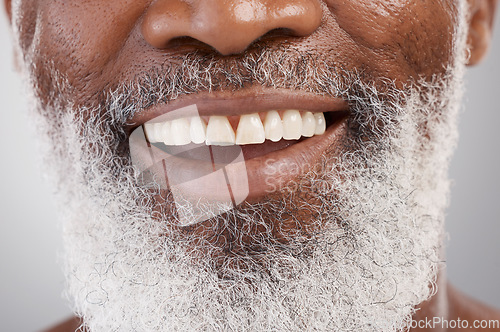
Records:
x=259, y=170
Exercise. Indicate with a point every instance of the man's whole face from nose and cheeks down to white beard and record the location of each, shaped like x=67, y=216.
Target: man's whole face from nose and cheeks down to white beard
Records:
x=340, y=230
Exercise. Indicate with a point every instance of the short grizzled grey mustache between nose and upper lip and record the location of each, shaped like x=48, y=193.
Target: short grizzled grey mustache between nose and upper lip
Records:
x=273, y=67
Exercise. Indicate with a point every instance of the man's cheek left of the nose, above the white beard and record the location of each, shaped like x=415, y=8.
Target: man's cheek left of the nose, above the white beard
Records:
x=79, y=39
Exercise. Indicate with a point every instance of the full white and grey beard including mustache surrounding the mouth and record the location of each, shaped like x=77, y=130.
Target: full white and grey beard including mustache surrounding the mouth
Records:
x=375, y=202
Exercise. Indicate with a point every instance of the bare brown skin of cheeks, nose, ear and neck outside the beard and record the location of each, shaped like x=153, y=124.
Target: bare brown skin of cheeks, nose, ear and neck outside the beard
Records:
x=98, y=44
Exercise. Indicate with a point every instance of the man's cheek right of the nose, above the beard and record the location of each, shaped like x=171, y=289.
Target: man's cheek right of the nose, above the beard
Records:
x=403, y=38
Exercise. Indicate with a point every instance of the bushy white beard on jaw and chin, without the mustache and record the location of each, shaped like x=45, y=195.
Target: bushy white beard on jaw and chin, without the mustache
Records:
x=376, y=258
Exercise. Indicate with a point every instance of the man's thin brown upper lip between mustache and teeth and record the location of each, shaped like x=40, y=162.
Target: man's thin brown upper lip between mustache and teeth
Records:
x=242, y=102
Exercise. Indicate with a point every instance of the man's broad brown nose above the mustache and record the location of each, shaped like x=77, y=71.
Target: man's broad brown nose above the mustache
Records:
x=228, y=26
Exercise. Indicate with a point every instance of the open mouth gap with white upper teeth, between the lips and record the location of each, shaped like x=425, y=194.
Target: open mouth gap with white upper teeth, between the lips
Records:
x=257, y=134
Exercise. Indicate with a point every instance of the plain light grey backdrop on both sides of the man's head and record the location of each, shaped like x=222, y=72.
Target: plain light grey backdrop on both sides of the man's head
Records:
x=31, y=282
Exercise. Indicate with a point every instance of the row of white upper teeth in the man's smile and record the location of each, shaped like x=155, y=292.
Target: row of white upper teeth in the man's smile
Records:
x=290, y=126
